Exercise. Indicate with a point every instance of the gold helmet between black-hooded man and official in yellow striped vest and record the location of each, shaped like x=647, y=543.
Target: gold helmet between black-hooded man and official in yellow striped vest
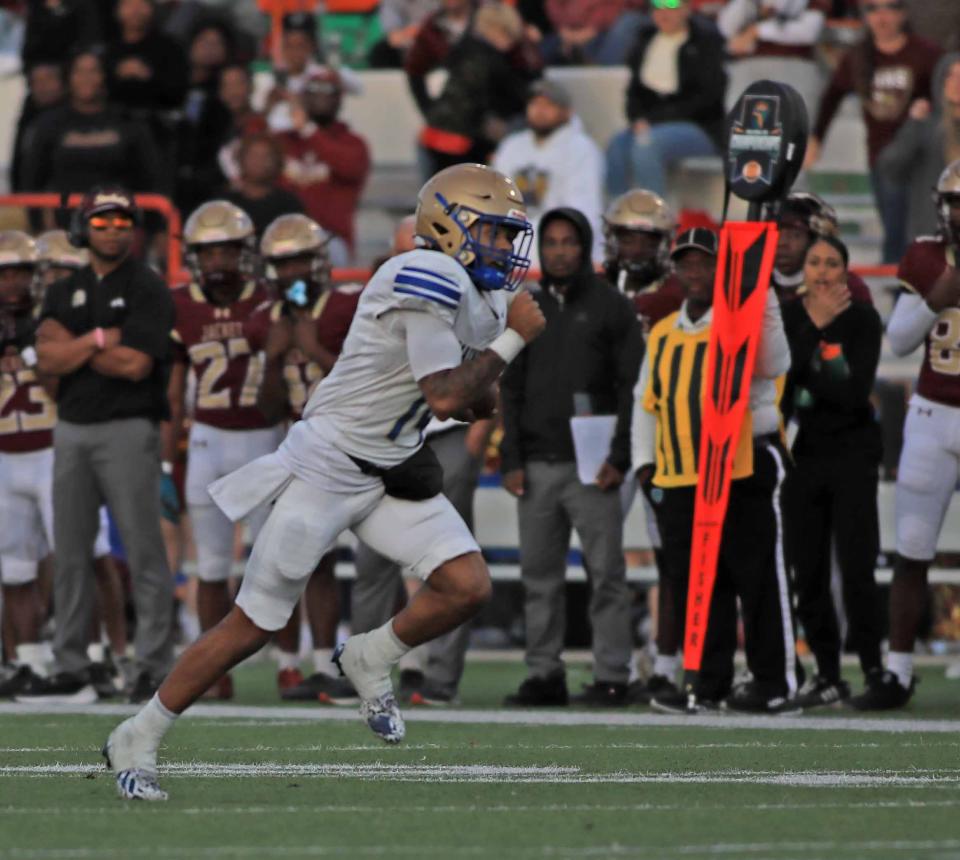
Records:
x=638, y=211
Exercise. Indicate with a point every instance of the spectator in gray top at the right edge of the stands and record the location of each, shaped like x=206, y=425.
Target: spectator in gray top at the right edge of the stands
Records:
x=926, y=144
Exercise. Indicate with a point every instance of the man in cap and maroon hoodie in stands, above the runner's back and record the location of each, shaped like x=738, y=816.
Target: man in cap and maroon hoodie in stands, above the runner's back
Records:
x=326, y=163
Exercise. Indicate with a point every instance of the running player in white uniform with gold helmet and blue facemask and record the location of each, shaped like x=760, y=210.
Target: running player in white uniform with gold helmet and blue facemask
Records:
x=433, y=333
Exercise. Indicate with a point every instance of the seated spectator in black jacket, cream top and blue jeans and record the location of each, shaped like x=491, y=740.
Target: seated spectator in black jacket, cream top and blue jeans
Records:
x=674, y=100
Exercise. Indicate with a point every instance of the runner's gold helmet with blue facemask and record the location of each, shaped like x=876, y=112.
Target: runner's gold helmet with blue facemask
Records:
x=455, y=206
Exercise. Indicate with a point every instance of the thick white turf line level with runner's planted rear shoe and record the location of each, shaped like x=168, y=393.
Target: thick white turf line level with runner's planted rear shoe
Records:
x=554, y=775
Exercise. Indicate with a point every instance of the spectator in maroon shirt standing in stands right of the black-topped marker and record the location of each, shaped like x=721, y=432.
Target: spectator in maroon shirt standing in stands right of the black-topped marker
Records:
x=890, y=71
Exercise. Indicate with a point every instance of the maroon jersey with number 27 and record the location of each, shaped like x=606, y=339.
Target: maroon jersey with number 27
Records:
x=214, y=341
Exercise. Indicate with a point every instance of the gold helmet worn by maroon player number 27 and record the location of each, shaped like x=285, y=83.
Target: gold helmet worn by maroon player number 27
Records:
x=220, y=222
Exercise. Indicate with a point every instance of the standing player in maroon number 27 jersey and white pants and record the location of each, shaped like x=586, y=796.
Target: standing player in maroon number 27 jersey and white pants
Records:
x=228, y=429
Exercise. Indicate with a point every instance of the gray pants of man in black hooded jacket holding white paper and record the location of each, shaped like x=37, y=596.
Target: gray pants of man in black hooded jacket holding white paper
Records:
x=554, y=500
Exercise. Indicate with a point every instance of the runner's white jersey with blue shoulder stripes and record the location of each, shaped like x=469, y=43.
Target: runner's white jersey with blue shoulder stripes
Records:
x=370, y=405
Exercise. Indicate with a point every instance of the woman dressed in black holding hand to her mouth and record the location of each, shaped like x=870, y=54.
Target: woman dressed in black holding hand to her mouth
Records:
x=831, y=497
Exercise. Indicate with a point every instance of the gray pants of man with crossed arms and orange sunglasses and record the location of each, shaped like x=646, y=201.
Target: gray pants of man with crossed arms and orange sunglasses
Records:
x=116, y=463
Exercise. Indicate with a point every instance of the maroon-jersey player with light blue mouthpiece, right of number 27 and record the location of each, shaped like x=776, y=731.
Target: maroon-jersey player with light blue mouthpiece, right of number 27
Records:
x=302, y=333
